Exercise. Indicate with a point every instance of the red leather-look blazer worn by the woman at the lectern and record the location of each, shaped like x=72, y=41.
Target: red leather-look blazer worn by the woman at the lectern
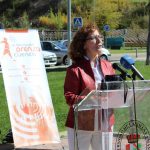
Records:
x=79, y=76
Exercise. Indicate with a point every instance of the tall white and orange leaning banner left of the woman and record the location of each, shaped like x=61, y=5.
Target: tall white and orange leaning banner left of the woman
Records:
x=29, y=100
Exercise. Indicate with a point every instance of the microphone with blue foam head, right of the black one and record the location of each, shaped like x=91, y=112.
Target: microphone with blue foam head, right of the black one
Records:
x=128, y=63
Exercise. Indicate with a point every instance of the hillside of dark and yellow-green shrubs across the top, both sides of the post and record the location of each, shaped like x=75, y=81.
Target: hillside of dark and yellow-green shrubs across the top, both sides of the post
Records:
x=52, y=14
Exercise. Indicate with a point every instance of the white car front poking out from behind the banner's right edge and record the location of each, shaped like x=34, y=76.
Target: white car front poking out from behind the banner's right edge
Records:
x=50, y=59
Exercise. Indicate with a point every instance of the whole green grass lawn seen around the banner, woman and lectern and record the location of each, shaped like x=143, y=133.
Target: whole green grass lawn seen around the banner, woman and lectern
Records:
x=56, y=81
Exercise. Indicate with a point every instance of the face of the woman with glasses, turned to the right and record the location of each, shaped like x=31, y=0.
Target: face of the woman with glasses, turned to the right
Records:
x=93, y=44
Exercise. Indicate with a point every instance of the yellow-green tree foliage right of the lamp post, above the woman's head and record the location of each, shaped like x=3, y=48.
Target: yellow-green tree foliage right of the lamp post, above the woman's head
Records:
x=99, y=11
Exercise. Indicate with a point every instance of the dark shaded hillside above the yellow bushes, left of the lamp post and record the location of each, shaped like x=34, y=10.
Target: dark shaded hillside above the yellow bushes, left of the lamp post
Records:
x=33, y=8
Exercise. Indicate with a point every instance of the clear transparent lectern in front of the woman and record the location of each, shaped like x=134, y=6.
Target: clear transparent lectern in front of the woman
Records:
x=94, y=110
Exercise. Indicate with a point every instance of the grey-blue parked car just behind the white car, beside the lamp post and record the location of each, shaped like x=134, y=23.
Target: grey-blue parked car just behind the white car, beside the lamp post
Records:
x=58, y=49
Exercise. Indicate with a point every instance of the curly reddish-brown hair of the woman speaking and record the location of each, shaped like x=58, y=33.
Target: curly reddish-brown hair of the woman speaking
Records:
x=76, y=49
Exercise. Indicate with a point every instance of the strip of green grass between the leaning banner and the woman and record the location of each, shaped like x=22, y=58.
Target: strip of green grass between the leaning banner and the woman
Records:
x=56, y=82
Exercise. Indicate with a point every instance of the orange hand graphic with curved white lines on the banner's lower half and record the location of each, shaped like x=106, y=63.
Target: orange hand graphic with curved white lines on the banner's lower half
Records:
x=35, y=117
